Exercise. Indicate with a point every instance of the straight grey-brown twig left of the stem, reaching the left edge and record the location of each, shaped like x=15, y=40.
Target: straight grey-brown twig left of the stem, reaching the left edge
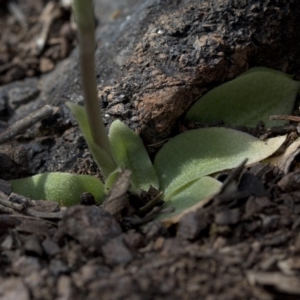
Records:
x=26, y=122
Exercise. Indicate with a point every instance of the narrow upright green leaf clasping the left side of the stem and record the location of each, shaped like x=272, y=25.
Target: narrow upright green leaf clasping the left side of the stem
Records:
x=104, y=162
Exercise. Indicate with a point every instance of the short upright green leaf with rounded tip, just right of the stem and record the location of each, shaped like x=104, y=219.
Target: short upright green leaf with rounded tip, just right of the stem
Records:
x=130, y=153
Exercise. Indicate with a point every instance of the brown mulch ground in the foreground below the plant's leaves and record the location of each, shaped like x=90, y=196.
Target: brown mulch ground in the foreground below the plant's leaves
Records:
x=244, y=245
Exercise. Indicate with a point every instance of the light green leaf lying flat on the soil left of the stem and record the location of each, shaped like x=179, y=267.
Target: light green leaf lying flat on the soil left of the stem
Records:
x=63, y=188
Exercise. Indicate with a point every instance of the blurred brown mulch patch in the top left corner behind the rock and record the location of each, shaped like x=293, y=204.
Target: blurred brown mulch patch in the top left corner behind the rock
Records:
x=35, y=36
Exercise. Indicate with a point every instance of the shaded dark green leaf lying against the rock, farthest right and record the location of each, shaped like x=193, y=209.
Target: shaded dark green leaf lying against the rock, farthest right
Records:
x=251, y=97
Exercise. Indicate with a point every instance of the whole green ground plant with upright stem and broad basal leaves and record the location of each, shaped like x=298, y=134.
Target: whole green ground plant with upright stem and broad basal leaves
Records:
x=184, y=166
